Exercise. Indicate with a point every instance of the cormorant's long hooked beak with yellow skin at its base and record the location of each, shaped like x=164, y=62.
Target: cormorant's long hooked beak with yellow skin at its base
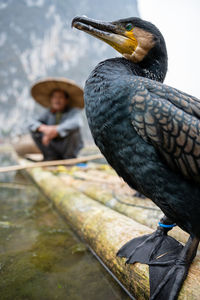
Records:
x=112, y=33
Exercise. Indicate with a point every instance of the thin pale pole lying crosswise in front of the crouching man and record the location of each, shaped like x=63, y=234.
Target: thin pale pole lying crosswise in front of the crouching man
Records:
x=67, y=162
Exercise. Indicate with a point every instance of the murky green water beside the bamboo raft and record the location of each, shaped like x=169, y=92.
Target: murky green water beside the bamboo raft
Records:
x=40, y=257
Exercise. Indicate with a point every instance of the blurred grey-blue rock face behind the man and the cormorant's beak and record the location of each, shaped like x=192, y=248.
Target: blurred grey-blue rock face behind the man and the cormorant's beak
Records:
x=36, y=40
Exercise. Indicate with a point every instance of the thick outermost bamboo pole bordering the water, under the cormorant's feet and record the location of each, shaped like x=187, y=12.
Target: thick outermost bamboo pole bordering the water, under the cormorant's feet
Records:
x=106, y=230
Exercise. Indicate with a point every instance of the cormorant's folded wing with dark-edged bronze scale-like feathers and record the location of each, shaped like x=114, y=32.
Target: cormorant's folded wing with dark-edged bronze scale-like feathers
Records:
x=170, y=121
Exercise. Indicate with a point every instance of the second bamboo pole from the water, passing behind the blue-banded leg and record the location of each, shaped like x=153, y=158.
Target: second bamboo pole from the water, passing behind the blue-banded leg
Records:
x=140, y=210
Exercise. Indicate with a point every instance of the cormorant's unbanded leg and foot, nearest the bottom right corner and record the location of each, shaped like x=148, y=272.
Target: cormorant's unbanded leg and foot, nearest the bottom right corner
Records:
x=171, y=278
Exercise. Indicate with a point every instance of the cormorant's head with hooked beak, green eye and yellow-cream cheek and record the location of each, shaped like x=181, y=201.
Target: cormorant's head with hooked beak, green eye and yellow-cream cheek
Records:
x=134, y=38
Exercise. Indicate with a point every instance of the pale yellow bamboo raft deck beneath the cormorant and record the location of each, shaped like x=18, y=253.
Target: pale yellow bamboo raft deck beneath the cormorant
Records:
x=102, y=210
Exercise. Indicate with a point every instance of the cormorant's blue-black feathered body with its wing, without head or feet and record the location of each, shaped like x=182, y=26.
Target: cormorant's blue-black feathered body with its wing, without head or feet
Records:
x=130, y=123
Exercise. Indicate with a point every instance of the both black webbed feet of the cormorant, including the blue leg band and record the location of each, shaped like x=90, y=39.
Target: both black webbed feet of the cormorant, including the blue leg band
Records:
x=168, y=260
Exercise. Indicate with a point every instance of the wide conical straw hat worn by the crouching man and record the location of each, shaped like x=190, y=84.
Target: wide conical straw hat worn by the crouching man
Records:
x=42, y=90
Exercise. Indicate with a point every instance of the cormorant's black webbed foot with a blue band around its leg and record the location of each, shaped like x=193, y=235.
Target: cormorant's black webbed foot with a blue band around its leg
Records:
x=147, y=248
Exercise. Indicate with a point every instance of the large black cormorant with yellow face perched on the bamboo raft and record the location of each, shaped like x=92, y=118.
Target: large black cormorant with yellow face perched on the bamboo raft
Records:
x=149, y=133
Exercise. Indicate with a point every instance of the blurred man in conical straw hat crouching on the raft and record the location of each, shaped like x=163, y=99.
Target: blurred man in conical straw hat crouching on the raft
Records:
x=57, y=132
